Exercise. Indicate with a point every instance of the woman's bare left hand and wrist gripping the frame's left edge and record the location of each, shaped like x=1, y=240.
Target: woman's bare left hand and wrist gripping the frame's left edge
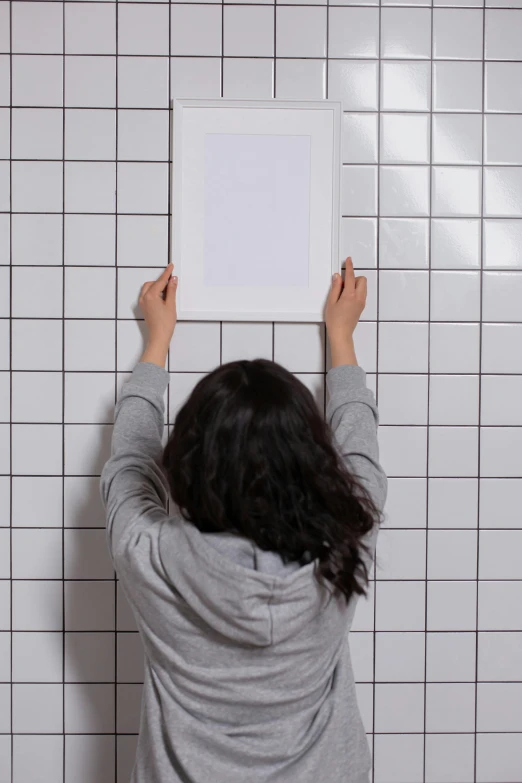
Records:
x=158, y=305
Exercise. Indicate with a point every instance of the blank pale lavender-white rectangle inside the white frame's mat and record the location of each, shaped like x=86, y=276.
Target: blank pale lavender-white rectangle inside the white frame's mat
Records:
x=256, y=210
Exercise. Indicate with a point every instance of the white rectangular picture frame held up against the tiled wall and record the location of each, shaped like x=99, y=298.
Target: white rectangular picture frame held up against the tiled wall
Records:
x=285, y=226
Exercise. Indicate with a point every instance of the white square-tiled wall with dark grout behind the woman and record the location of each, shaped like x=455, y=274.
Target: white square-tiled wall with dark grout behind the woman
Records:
x=431, y=94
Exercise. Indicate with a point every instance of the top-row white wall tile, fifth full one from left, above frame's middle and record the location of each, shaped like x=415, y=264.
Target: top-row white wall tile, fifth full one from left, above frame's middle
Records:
x=248, y=31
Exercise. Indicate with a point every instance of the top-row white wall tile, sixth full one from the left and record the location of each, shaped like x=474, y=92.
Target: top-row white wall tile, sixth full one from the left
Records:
x=300, y=32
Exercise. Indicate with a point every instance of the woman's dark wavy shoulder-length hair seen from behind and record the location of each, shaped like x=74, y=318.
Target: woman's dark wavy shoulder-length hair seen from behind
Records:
x=251, y=454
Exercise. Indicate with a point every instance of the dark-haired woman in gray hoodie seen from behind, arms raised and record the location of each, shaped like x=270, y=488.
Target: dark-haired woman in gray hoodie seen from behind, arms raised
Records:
x=245, y=593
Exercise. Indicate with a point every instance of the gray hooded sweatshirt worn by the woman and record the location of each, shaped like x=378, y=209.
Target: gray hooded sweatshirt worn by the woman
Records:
x=248, y=676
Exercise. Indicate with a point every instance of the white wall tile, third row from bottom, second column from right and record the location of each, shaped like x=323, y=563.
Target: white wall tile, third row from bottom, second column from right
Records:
x=450, y=657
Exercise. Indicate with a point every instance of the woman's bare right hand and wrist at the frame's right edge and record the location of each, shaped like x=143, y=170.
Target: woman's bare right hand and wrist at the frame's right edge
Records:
x=344, y=307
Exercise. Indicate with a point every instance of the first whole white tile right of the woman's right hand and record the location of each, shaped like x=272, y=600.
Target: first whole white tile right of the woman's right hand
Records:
x=404, y=296
